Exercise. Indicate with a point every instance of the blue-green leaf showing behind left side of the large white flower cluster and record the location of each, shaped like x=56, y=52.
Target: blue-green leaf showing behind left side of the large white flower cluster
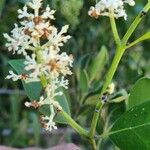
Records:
x=33, y=90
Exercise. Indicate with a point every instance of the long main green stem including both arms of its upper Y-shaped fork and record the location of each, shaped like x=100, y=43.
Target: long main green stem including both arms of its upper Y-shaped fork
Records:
x=120, y=51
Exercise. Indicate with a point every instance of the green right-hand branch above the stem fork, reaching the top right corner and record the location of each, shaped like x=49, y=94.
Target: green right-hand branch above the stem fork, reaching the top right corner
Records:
x=135, y=23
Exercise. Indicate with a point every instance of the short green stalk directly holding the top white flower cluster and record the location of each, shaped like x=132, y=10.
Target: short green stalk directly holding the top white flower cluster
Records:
x=114, y=30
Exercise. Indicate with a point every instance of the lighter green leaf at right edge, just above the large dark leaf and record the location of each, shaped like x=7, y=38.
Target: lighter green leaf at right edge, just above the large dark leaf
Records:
x=140, y=92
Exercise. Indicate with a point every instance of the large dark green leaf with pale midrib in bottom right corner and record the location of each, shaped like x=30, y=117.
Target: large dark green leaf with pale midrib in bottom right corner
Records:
x=131, y=130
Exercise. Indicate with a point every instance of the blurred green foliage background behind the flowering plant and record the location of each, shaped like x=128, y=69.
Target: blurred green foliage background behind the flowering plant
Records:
x=19, y=126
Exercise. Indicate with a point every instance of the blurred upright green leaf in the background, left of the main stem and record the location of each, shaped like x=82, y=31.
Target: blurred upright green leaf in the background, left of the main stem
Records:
x=97, y=64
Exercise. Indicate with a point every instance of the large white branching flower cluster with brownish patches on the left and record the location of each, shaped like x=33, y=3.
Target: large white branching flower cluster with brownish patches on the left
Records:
x=40, y=41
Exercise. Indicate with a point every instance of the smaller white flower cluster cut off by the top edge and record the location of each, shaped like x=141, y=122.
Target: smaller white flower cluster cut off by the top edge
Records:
x=113, y=8
